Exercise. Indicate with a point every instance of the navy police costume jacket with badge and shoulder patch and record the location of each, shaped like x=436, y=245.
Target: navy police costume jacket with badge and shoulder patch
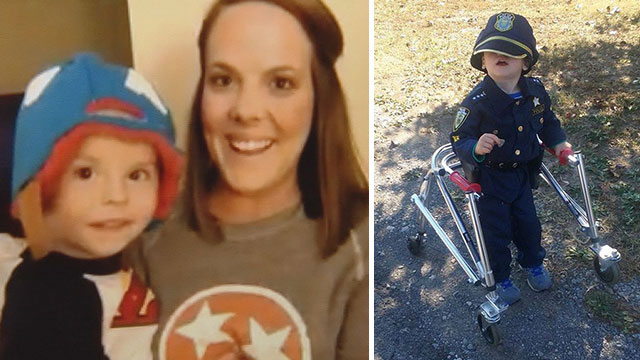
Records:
x=519, y=122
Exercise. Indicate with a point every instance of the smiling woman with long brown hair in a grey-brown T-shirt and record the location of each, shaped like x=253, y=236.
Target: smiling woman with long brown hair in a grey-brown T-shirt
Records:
x=269, y=249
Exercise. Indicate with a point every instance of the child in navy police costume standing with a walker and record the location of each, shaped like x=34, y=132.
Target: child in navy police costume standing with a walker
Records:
x=497, y=130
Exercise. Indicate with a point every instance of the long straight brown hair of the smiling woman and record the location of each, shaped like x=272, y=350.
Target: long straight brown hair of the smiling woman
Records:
x=333, y=186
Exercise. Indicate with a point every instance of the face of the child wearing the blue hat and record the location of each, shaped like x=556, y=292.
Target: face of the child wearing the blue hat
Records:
x=106, y=197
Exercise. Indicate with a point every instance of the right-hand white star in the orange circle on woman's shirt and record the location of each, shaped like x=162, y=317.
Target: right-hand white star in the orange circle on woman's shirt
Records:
x=263, y=346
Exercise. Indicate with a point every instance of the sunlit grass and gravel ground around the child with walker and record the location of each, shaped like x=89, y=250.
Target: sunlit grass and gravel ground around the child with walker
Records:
x=424, y=307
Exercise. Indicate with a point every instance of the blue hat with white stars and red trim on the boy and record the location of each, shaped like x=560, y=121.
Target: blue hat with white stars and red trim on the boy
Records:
x=86, y=90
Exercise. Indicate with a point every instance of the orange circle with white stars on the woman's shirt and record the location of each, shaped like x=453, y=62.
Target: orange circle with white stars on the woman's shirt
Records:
x=235, y=322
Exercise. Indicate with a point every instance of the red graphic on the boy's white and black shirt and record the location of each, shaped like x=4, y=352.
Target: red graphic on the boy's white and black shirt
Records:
x=137, y=307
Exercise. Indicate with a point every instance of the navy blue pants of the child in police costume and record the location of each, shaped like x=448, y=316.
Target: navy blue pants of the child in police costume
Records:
x=504, y=222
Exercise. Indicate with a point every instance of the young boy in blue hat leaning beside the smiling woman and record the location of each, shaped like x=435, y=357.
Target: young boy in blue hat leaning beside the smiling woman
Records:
x=94, y=164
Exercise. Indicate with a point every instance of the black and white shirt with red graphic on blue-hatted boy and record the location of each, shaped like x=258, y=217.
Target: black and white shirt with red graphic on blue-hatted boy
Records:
x=60, y=307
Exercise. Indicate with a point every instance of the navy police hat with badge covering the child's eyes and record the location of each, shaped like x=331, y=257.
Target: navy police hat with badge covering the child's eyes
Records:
x=508, y=34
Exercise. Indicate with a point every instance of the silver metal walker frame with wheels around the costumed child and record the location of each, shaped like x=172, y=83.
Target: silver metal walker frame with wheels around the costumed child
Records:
x=444, y=164
